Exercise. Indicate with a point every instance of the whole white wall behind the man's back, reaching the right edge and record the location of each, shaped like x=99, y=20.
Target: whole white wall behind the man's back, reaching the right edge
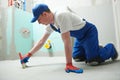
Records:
x=105, y=14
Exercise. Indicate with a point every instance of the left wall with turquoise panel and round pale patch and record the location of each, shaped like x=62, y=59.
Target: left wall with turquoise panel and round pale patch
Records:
x=16, y=32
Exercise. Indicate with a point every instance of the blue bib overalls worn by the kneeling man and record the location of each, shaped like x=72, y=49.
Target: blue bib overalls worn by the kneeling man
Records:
x=86, y=44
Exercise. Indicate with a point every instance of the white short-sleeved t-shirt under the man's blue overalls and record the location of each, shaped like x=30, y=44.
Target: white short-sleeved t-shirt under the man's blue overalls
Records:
x=66, y=21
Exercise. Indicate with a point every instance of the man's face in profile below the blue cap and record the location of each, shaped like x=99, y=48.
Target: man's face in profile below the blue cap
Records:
x=44, y=18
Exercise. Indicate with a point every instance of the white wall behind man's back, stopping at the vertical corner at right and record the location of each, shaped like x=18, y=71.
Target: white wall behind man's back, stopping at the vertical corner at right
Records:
x=99, y=13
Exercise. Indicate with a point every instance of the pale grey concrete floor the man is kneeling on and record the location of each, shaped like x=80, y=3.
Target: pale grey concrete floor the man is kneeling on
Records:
x=52, y=68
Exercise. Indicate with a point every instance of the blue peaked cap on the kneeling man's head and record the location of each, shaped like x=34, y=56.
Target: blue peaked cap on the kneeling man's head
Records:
x=38, y=10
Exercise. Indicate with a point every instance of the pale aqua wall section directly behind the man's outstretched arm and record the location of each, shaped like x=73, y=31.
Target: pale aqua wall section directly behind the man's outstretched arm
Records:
x=57, y=48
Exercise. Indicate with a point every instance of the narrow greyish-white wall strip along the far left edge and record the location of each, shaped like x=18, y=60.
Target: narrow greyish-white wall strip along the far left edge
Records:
x=3, y=24
